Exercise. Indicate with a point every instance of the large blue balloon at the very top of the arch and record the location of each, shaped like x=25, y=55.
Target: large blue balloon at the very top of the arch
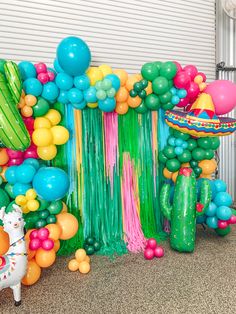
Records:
x=73, y=55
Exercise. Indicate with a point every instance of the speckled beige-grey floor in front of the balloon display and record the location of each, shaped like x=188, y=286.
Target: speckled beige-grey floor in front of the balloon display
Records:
x=203, y=282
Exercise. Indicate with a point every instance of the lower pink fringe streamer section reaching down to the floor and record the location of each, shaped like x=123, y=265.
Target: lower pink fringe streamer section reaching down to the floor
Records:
x=132, y=228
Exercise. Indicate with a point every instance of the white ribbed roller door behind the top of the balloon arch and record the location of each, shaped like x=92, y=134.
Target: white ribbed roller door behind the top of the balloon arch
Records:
x=124, y=34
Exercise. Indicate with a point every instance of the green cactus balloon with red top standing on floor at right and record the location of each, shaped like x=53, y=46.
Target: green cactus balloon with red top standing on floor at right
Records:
x=182, y=214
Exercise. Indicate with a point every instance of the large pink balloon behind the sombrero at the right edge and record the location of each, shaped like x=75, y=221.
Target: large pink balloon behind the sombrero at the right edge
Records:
x=223, y=94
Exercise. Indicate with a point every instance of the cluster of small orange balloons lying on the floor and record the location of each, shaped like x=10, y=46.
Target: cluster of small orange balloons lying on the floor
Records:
x=81, y=262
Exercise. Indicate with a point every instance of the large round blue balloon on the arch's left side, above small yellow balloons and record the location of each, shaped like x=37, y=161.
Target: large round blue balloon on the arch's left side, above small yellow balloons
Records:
x=51, y=183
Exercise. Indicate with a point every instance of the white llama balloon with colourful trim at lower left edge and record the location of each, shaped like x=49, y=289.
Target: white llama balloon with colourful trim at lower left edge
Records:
x=14, y=263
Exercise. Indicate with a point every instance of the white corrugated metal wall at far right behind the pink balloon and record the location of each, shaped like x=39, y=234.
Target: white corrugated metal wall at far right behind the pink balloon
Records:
x=226, y=52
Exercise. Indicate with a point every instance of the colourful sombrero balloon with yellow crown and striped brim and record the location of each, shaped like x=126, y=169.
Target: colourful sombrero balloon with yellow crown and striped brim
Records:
x=201, y=120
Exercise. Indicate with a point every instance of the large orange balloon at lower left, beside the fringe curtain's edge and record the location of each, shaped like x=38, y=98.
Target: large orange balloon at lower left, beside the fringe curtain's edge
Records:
x=69, y=225
